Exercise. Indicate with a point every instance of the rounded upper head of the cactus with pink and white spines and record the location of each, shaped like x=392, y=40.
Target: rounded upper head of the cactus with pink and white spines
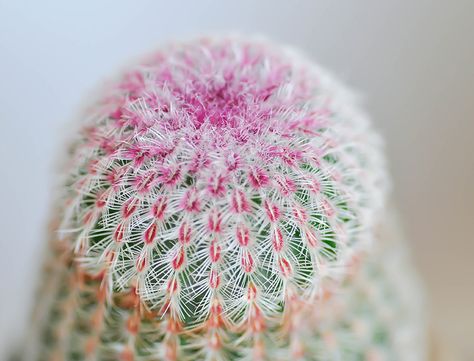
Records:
x=218, y=184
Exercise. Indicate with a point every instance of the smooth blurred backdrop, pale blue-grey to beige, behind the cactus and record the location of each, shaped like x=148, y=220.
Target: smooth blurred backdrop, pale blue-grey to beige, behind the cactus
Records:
x=412, y=60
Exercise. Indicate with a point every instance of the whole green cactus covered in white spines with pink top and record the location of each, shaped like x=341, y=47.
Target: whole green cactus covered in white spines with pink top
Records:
x=221, y=203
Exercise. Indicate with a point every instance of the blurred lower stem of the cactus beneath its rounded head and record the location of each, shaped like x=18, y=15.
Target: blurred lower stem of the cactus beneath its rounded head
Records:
x=374, y=313
